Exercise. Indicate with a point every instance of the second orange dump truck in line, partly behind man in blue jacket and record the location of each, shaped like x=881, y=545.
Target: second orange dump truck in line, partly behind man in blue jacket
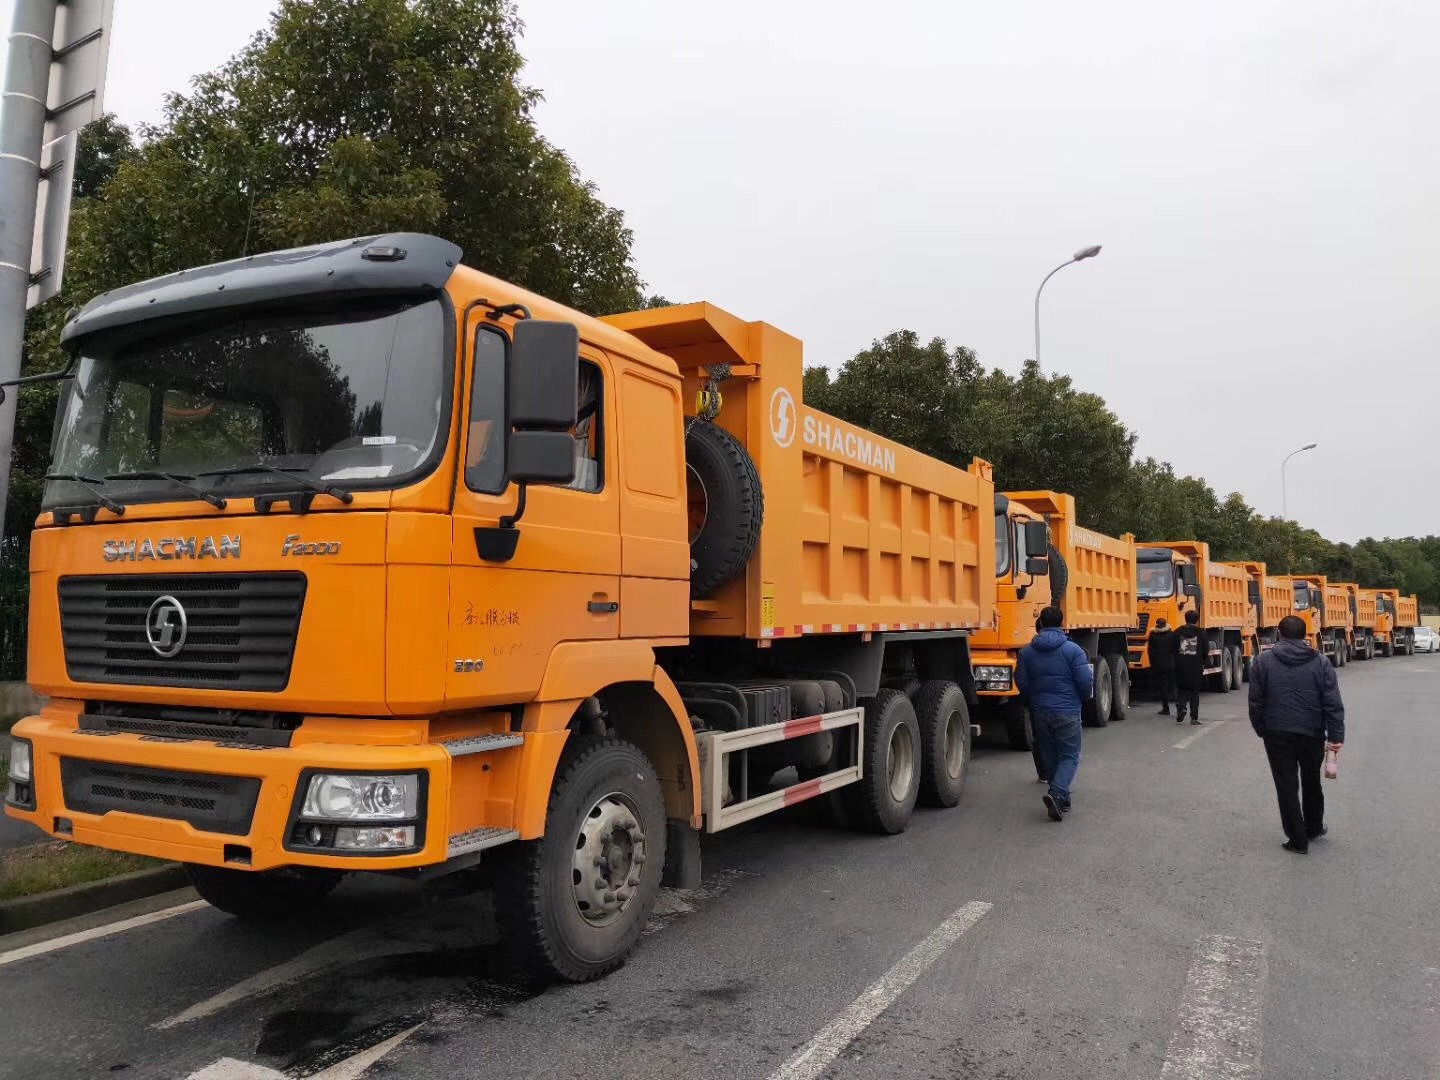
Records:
x=1045, y=557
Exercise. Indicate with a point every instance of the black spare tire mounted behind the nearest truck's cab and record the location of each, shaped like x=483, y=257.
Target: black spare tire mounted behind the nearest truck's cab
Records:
x=726, y=506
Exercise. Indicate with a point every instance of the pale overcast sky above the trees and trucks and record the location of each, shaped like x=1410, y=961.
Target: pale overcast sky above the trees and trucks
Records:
x=1265, y=178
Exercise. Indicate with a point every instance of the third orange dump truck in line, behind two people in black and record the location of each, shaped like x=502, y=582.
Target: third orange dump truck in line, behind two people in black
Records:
x=1179, y=577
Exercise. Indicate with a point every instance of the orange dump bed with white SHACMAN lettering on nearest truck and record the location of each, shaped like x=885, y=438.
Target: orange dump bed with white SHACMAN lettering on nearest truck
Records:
x=860, y=534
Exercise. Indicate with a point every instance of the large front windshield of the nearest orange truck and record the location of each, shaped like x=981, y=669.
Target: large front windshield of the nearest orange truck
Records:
x=349, y=395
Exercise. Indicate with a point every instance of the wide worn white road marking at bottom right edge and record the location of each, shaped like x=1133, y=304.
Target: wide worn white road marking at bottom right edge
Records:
x=1218, y=1029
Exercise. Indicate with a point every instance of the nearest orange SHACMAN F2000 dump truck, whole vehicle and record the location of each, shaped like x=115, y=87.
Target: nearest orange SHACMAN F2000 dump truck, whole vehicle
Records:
x=355, y=558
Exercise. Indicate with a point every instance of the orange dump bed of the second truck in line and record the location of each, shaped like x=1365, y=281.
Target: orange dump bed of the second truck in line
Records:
x=1101, y=588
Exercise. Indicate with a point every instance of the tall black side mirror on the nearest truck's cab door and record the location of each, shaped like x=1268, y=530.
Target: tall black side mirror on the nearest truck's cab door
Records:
x=544, y=377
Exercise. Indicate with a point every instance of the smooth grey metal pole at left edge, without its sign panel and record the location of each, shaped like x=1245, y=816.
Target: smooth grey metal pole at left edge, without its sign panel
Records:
x=22, y=135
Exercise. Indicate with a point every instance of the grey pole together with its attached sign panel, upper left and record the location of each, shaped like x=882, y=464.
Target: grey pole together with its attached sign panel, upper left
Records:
x=54, y=87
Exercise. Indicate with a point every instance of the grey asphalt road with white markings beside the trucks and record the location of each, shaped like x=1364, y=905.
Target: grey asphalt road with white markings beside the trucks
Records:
x=1158, y=932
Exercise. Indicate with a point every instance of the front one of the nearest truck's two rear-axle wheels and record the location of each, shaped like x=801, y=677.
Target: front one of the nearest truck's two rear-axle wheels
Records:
x=885, y=797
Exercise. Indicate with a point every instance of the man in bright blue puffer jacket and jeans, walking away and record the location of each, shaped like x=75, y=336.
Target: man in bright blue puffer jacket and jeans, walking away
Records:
x=1056, y=676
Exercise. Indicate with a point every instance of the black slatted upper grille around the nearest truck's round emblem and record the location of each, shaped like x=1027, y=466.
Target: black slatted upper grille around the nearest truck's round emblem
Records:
x=240, y=630
